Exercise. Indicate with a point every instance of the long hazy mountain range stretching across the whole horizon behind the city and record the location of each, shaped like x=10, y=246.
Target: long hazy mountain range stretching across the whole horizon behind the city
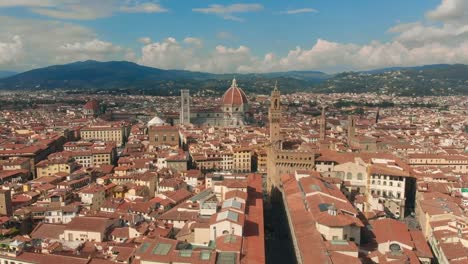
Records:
x=438, y=79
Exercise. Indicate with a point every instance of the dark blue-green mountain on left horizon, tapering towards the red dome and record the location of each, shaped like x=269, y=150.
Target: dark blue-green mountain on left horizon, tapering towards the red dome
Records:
x=94, y=74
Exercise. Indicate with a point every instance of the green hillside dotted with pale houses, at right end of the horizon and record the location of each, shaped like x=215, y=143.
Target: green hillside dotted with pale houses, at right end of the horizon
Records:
x=439, y=79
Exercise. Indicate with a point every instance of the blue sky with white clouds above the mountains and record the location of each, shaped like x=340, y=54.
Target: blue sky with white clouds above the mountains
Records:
x=235, y=36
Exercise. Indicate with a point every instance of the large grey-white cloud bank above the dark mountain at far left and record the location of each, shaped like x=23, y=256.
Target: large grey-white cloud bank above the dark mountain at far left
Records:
x=47, y=42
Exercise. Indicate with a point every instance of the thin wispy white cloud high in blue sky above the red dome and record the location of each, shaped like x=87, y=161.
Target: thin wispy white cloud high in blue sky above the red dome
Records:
x=228, y=11
